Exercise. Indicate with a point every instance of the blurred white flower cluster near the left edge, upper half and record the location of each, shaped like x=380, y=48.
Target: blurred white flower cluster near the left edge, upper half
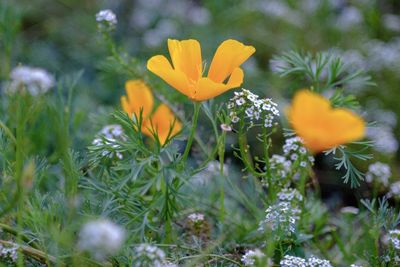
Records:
x=35, y=80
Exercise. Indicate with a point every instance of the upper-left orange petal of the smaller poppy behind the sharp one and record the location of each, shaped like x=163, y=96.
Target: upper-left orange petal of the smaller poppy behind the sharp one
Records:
x=139, y=97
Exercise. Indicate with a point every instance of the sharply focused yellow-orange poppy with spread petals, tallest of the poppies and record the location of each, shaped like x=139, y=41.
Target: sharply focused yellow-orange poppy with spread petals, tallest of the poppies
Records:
x=186, y=72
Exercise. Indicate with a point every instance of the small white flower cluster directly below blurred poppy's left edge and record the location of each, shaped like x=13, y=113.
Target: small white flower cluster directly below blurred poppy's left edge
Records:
x=294, y=150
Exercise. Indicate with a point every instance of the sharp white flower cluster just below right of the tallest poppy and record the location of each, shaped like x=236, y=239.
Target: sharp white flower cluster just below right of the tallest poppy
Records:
x=247, y=105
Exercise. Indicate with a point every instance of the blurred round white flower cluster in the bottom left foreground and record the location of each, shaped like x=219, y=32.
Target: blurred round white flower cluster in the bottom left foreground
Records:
x=101, y=238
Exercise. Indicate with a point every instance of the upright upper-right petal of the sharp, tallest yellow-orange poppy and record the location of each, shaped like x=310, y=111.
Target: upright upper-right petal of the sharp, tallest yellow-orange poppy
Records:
x=229, y=55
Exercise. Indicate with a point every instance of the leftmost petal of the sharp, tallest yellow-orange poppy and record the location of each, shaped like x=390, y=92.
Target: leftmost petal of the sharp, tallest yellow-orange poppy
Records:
x=161, y=67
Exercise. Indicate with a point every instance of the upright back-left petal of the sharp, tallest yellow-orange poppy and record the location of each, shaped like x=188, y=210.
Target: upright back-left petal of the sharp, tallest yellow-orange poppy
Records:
x=186, y=57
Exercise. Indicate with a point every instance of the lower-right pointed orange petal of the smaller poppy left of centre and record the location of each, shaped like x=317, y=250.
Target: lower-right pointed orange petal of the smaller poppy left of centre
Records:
x=161, y=121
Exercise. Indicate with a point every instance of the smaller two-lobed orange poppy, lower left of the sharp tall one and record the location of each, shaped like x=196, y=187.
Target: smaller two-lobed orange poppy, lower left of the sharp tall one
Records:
x=140, y=99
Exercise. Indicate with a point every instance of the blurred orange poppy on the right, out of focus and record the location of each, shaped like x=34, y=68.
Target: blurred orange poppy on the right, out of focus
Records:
x=319, y=125
